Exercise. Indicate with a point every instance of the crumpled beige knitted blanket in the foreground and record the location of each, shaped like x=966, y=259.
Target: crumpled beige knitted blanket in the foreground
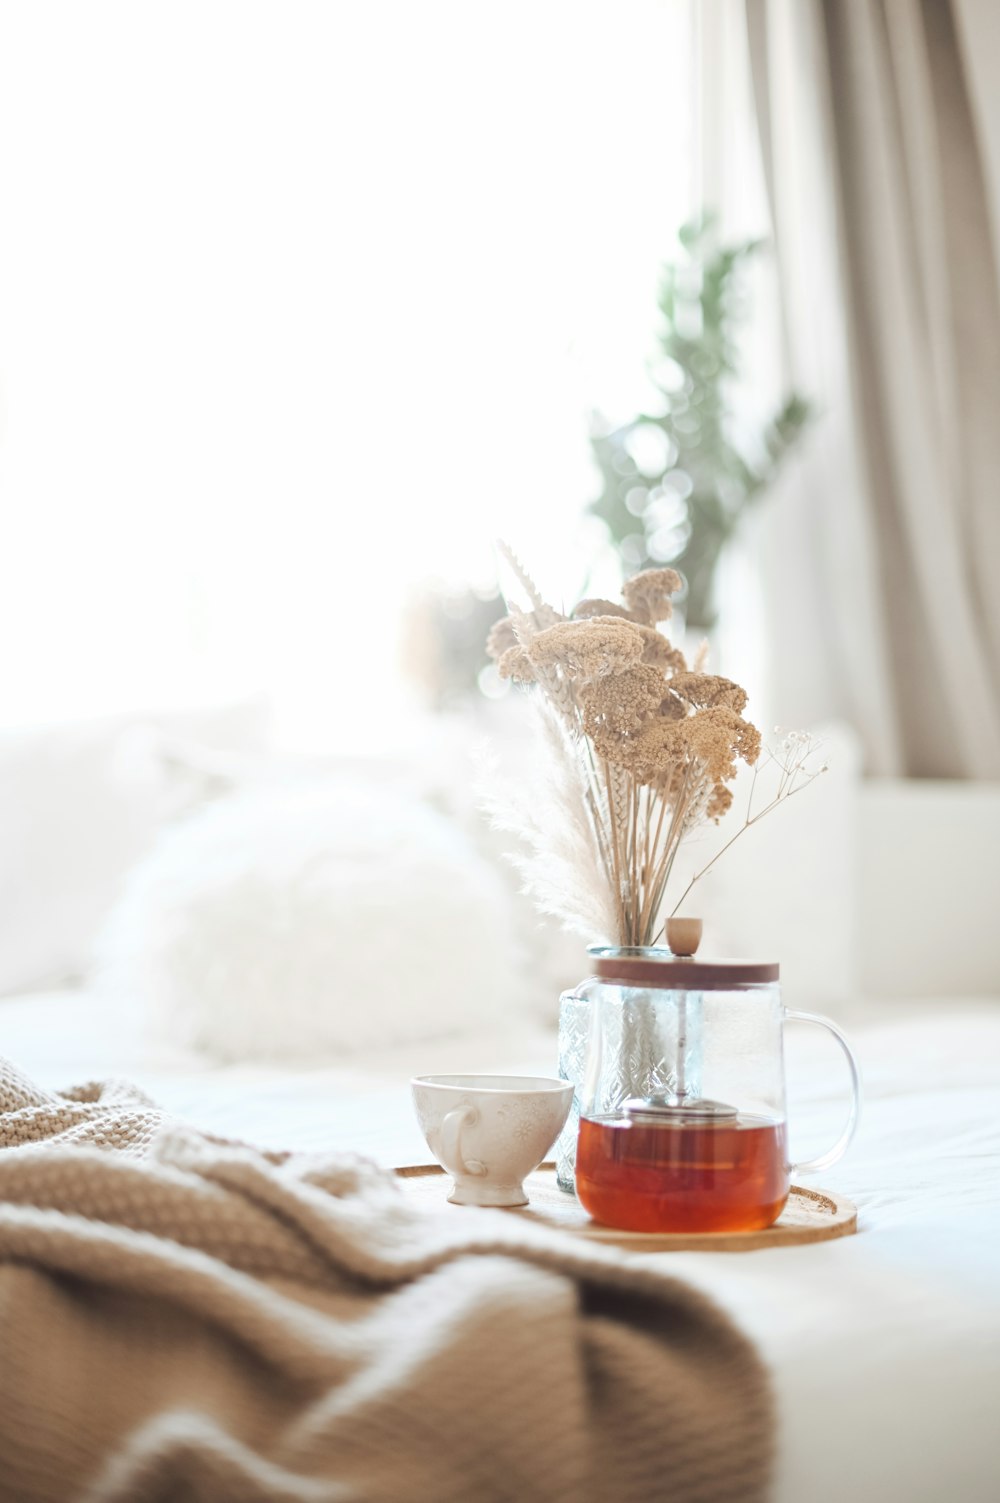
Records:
x=186, y=1320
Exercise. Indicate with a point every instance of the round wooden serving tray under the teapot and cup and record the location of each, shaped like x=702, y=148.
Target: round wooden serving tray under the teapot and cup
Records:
x=808, y=1217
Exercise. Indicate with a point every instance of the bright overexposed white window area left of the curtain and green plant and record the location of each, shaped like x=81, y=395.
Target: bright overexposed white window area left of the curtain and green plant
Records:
x=302, y=304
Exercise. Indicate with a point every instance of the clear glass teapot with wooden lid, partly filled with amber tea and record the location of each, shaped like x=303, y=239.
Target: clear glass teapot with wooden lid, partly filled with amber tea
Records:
x=679, y=1120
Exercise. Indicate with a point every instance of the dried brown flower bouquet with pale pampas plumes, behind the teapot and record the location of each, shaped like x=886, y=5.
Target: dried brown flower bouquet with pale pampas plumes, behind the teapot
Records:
x=637, y=755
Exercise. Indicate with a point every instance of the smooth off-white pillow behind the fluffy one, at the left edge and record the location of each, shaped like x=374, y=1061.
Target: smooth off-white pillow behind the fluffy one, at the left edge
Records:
x=79, y=805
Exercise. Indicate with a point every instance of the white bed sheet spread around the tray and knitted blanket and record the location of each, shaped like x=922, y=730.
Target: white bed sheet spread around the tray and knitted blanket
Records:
x=885, y=1347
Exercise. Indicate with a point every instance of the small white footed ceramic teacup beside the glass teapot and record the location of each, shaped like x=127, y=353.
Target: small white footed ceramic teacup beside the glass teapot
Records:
x=491, y=1131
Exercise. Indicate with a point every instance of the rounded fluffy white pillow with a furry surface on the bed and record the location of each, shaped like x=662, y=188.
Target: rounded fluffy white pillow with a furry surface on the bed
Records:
x=314, y=921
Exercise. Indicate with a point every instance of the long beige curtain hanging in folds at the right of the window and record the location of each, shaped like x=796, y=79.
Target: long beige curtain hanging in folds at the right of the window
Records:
x=892, y=307
